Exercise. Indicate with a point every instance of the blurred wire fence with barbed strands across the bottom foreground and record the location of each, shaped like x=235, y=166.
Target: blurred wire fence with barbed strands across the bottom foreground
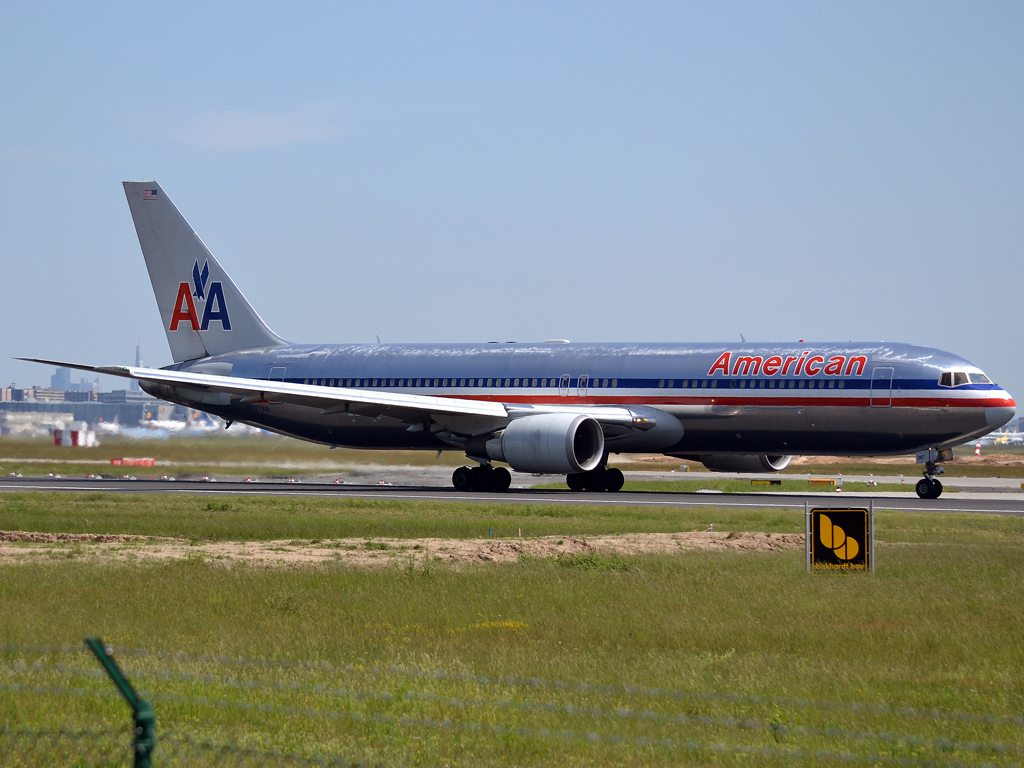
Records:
x=219, y=711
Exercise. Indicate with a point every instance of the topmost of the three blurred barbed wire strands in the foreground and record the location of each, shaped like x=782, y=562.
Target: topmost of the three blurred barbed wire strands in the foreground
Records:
x=614, y=690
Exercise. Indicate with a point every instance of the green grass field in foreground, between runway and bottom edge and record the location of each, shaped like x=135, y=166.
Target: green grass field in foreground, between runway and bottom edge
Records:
x=940, y=626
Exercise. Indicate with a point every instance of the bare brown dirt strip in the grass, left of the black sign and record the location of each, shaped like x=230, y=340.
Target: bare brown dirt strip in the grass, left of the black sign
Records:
x=20, y=546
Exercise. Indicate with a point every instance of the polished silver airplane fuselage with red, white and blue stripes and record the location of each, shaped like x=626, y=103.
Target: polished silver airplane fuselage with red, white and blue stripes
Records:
x=858, y=399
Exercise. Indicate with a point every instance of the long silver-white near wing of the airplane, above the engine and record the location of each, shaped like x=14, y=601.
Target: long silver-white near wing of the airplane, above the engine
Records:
x=474, y=416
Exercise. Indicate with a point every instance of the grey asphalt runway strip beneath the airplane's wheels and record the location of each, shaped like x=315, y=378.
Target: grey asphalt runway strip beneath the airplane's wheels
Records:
x=1004, y=504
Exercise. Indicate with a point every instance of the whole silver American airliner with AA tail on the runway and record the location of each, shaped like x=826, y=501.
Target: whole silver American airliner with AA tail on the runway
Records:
x=550, y=407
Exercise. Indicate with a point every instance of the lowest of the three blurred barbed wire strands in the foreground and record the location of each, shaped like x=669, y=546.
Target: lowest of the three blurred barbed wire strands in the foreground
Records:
x=522, y=732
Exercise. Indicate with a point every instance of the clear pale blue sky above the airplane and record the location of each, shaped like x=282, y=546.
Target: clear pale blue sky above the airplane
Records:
x=485, y=172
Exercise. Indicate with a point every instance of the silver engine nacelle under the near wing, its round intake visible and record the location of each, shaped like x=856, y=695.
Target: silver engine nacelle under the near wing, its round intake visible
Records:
x=554, y=444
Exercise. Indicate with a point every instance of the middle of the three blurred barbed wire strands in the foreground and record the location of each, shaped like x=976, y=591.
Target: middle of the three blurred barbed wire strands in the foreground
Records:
x=564, y=709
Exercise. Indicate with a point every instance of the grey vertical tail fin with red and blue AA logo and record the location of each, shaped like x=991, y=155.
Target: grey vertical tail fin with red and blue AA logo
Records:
x=202, y=310
